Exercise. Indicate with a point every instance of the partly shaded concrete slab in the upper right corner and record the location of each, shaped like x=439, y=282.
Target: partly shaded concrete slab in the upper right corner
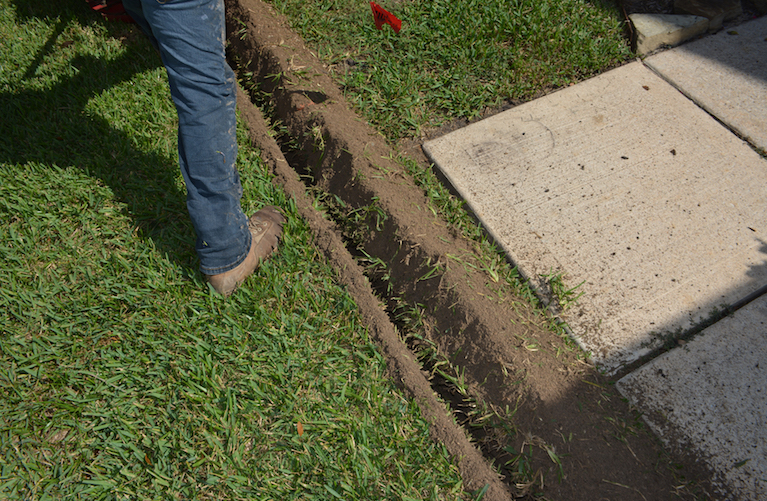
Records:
x=726, y=74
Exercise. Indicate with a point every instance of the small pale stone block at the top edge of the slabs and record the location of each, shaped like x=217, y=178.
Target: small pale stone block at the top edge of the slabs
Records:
x=653, y=31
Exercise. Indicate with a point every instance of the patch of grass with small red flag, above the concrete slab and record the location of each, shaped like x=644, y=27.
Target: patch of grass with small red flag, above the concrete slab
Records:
x=454, y=58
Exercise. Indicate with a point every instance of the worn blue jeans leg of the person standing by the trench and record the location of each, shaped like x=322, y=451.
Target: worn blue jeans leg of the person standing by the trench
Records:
x=189, y=35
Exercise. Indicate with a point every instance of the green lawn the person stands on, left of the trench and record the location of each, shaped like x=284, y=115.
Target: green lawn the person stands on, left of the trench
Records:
x=122, y=376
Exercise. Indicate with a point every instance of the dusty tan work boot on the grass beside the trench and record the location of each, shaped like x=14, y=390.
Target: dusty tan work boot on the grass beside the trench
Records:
x=266, y=227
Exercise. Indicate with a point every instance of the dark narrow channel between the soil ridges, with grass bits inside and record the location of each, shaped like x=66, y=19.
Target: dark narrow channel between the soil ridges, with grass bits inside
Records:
x=483, y=432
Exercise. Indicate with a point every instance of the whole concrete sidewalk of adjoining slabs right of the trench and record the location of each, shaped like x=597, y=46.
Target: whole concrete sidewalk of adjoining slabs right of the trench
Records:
x=638, y=189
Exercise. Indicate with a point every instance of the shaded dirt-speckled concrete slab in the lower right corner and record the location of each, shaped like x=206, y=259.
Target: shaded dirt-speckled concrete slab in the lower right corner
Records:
x=708, y=399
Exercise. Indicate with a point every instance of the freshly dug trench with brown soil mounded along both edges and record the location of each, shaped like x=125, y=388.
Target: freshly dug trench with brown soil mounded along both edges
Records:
x=512, y=400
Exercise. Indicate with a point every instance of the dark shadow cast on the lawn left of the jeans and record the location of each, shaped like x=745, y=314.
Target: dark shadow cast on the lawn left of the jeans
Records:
x=54, y=126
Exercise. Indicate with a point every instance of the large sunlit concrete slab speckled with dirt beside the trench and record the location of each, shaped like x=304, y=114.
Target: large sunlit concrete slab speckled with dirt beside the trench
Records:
x=629, y=189
